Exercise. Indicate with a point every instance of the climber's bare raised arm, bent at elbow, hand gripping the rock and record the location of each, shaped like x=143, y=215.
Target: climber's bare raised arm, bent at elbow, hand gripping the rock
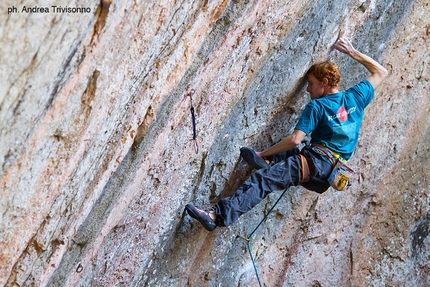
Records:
x=378, y=72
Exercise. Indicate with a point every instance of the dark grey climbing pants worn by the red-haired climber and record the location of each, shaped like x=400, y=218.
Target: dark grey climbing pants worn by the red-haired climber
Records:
x=285, y=171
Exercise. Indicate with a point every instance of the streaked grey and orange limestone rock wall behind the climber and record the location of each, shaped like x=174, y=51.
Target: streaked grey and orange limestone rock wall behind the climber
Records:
x=97, y=159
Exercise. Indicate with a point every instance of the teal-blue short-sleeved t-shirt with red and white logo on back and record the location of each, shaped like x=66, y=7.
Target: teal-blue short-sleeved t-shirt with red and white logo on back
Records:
x=335, y=119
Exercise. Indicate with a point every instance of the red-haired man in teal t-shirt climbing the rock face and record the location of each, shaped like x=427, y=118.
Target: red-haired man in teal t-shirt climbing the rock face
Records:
x=333, y=118
